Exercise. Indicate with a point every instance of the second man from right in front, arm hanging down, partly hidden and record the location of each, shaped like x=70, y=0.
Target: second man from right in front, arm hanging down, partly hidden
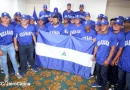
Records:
x=118, y=51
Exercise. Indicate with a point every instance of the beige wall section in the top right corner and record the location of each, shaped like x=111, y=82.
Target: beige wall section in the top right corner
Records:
x=118, y=7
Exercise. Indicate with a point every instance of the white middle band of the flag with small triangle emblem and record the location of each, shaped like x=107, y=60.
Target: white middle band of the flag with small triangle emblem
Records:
x=64, y=54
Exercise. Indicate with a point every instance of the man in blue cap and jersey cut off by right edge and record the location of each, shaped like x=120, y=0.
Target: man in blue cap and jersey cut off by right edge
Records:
x=124, y=61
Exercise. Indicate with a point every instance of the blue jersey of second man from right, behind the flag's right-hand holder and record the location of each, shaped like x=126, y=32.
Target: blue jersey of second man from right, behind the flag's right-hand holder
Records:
x=120, y=42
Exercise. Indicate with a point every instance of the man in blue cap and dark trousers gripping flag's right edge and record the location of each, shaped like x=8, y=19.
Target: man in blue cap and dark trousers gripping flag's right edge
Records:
x=106, y=43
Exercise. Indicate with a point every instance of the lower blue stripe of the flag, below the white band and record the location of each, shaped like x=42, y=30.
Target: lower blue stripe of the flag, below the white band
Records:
x=63, y=65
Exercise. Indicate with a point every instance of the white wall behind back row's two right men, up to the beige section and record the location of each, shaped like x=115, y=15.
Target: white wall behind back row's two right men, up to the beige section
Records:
x=95, y=7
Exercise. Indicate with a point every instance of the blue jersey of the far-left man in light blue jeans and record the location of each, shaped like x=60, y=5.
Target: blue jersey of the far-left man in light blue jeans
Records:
x=6, y=34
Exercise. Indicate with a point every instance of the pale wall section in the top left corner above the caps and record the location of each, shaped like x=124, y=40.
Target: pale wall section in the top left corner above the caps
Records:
x=9, y=6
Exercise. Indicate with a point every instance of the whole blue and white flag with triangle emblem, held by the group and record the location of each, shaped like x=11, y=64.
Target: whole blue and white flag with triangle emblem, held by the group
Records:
x=65, y=53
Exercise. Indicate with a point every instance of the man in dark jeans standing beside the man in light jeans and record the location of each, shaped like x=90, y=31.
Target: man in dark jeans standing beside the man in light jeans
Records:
x=24, y=40
